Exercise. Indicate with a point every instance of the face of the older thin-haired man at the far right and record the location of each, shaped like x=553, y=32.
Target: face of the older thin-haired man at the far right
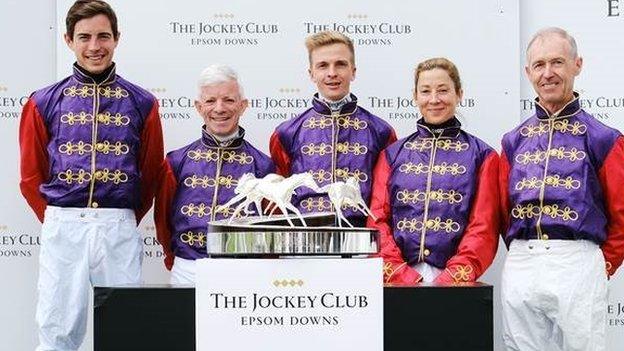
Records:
x=551, y=69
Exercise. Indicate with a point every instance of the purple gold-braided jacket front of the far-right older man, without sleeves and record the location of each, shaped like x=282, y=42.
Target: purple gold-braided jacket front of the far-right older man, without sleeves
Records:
x=572, y=205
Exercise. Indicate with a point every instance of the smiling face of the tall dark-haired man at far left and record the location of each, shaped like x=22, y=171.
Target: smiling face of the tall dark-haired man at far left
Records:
x=93, y=43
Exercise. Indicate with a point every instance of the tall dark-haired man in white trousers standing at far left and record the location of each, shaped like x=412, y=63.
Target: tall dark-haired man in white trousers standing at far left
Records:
x=91, y=151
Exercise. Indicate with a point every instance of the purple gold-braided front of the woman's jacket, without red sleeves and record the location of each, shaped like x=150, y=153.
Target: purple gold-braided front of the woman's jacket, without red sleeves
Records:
x=456, y=163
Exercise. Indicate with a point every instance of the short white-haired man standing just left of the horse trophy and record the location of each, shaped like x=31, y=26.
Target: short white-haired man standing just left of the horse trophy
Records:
x=202, y=176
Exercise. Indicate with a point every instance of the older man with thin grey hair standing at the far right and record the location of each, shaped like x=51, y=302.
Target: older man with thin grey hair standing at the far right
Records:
x=561, y=188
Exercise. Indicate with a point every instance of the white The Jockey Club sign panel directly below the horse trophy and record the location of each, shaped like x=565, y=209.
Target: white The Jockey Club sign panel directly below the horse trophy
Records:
x=289, y=304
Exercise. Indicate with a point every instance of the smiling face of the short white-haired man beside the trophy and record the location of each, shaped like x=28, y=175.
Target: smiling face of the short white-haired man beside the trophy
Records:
x=221, y=106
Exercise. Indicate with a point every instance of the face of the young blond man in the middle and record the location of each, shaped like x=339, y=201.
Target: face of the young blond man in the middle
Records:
x=332, y=70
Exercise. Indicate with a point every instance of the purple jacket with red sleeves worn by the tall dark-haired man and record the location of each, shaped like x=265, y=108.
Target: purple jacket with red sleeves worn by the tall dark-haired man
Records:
x=103, y=143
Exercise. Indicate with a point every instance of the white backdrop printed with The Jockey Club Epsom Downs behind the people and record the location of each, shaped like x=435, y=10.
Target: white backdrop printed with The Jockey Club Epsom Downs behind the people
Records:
x=164, y=45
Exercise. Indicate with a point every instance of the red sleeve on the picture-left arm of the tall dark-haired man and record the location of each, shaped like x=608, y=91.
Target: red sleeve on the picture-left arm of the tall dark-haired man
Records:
x=34, y=163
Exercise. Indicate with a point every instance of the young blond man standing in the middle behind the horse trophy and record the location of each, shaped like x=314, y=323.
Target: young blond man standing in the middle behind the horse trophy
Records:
x=336, y=138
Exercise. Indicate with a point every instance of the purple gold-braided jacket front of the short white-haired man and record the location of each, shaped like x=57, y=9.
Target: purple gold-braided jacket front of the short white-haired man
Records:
x=195, y=167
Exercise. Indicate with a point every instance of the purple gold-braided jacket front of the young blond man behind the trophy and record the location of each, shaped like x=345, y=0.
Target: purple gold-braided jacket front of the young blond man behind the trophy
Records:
x=309, y=140
